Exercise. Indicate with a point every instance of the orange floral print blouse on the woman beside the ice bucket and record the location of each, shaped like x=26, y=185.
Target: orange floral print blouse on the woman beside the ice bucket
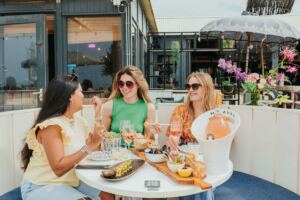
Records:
x=181, y=113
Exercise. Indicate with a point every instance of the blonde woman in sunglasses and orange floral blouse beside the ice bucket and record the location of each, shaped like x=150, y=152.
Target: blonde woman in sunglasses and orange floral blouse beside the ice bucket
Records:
x=200, y=99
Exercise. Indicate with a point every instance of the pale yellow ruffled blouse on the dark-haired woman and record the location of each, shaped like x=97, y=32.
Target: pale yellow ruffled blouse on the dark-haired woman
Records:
x=74, y=133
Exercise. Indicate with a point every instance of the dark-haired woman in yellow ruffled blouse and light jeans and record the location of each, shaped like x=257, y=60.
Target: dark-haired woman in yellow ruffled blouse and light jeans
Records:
x=58, y=141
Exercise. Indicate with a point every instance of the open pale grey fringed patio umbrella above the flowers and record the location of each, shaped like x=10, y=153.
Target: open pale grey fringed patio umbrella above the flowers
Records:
x=252, y=28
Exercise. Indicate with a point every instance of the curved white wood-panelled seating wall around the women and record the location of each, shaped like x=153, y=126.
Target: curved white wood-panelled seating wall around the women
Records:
x=267, y=143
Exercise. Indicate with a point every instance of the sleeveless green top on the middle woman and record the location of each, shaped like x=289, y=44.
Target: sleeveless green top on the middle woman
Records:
x=136, y=113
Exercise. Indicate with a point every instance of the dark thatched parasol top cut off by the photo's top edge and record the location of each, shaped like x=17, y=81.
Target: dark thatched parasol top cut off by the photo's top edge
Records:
x=270, y=7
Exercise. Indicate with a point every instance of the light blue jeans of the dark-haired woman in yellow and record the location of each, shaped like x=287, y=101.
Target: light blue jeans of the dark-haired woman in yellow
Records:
x=57, y=191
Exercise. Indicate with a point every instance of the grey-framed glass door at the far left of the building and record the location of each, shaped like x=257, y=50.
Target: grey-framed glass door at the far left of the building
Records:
x=23, y=73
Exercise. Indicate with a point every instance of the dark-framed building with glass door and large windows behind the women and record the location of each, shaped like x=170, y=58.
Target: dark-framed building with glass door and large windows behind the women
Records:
x=43, y=39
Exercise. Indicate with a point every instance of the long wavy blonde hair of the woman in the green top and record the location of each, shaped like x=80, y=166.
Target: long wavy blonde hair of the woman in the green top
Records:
x=138, y=77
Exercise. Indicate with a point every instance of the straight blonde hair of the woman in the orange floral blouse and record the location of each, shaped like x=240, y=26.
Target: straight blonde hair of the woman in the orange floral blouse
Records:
x=208, y=98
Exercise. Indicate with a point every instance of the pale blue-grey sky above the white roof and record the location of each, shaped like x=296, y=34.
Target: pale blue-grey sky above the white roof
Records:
x=188, y=8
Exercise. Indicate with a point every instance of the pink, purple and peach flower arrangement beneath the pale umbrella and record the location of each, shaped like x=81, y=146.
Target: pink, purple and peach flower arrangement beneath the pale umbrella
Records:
x=255, y=83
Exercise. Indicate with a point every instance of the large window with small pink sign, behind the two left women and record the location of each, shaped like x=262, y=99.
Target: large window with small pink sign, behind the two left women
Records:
x=94, y=51
